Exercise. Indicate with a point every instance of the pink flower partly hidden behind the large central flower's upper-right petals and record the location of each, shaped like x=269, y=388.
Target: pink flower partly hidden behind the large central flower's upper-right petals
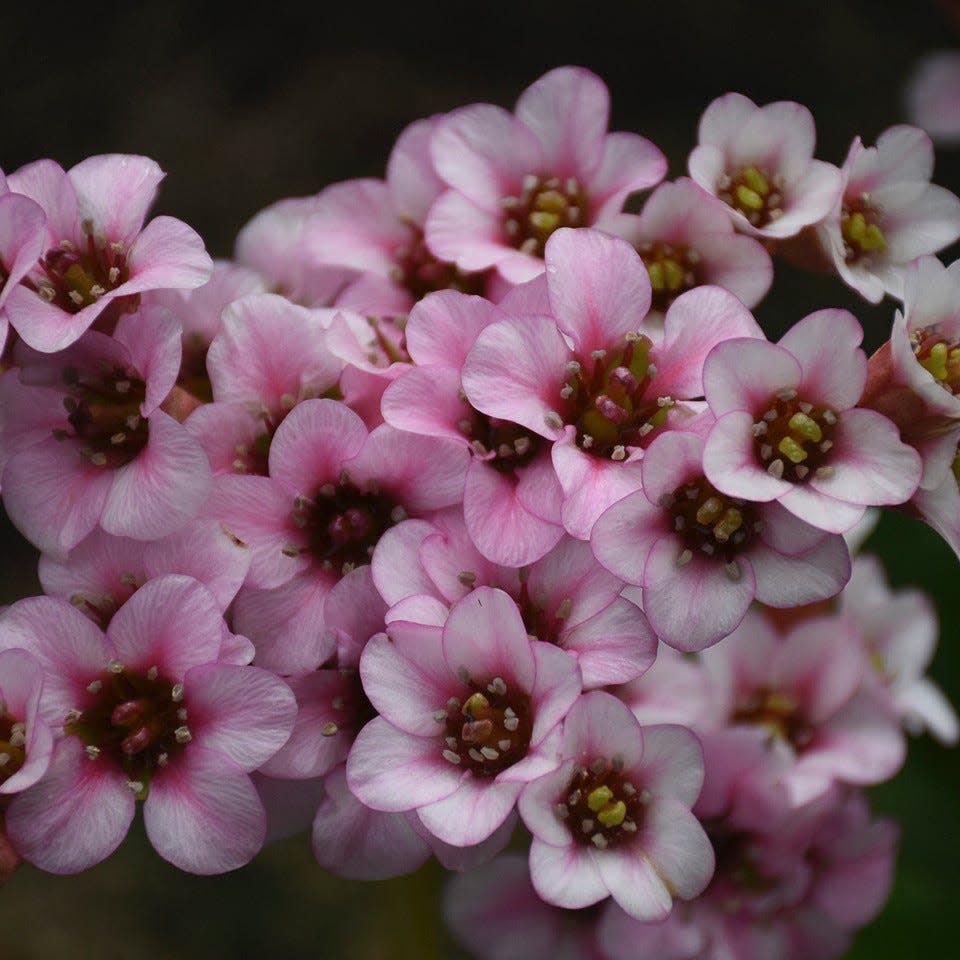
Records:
x=686, y=241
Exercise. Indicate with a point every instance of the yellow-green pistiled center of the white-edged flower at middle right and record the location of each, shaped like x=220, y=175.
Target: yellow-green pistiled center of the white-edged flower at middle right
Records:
x=792, y=438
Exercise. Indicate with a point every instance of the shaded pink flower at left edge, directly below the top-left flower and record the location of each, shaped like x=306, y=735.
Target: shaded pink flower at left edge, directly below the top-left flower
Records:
x=89, y=444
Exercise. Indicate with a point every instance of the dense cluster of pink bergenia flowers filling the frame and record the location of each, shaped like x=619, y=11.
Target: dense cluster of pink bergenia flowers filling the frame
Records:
x=467, y=499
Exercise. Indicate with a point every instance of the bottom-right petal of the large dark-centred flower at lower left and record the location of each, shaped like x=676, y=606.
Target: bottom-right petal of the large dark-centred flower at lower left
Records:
x=203, y=814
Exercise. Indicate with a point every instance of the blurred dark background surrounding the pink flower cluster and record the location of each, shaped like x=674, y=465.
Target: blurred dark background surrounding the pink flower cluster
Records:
x=245, y=106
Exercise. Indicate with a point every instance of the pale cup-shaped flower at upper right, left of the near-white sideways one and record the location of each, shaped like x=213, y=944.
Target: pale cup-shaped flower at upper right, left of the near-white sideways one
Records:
x=759, y=161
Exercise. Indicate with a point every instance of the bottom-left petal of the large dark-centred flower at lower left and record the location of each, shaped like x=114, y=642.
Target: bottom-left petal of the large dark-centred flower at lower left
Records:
x=76, y=816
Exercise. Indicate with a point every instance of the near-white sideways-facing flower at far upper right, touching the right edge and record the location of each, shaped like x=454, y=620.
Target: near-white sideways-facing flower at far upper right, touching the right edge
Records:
x=889, y=213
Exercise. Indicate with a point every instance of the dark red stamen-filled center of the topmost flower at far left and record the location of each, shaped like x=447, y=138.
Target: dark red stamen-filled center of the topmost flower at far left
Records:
x=76, y=277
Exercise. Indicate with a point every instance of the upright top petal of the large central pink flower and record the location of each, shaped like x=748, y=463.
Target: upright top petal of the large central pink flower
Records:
x=599, y=288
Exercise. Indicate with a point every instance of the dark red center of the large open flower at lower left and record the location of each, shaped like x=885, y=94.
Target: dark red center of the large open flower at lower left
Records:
x=137, y=719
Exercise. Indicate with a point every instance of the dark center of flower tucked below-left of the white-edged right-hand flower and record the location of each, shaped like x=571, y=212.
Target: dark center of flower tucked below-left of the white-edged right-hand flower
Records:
x=709, y=522
